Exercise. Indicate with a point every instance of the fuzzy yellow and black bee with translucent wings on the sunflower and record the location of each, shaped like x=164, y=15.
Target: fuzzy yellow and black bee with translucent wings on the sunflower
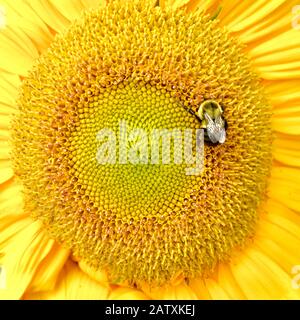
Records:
x=210, y=116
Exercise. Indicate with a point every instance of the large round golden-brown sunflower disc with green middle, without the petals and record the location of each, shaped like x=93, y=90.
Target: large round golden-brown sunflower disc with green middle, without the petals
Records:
x=138, y=63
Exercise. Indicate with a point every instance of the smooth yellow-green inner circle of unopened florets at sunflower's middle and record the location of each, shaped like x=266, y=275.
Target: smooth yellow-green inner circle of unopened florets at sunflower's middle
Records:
x=128, y=152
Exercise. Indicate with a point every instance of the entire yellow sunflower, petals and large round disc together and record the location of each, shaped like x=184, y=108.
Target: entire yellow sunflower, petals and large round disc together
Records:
x=74, y=229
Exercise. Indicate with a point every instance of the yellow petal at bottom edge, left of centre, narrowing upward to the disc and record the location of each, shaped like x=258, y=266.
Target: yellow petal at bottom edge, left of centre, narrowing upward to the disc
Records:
x=72, y=284
